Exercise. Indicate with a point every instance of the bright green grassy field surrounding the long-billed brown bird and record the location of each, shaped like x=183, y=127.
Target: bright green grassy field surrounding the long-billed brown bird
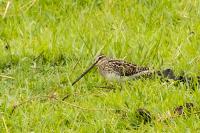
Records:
x=46, y=44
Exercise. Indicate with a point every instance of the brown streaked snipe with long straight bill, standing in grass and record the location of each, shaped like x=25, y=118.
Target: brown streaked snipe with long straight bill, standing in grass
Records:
x=114, y=69
